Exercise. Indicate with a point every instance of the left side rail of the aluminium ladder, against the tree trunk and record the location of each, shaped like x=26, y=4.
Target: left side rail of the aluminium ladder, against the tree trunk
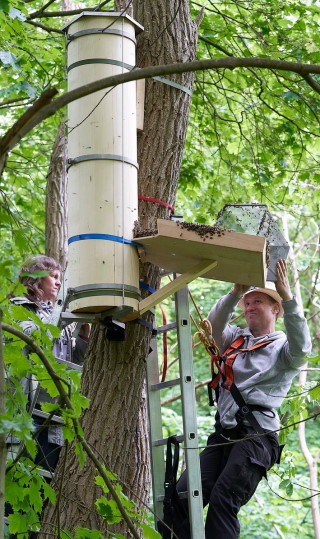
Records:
x=155, y=432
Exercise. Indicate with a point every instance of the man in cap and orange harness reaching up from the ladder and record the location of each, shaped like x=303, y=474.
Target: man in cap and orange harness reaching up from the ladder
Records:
x=231, y=472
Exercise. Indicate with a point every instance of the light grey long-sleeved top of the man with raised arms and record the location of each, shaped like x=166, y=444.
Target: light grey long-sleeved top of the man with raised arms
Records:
x=264, y=375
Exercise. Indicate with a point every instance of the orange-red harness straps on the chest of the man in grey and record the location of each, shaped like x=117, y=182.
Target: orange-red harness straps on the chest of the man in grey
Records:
x=228, y=358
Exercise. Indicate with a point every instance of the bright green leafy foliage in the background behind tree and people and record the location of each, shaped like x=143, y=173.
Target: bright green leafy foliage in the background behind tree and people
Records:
x=253, y=137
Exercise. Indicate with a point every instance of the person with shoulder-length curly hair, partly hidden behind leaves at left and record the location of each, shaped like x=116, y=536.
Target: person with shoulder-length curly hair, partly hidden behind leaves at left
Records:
x=39, y=299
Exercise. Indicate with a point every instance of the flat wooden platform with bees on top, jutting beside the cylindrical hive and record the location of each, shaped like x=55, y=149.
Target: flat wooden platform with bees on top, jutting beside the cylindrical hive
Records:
x=178, y=247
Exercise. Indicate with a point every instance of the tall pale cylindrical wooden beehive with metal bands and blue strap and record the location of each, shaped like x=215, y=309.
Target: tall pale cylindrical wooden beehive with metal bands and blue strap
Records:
x=102, y=173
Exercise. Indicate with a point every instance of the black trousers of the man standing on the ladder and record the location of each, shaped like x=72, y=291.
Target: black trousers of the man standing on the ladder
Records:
x=230, y=474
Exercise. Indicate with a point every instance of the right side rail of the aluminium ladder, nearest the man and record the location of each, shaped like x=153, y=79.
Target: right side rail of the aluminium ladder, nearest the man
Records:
x=189, y=415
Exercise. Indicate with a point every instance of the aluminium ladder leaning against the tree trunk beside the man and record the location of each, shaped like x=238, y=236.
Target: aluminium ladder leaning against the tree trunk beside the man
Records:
x=190, y=436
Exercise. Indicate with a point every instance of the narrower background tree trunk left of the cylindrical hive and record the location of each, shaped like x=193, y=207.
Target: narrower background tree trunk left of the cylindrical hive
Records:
x=56, y=201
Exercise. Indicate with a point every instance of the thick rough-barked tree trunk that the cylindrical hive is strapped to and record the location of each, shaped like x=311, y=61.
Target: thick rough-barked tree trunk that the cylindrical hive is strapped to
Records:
x=114, y=372
